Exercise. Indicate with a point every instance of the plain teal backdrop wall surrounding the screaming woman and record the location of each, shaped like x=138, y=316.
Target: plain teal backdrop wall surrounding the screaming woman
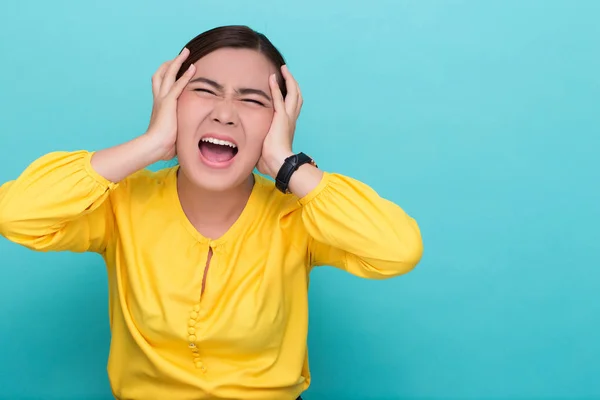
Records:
x=480, y=118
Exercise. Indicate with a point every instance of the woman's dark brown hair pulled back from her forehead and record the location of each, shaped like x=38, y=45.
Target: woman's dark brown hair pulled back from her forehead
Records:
x=238, y=37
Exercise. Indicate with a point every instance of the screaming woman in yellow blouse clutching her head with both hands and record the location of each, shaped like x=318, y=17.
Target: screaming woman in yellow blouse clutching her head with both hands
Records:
x=207, y=261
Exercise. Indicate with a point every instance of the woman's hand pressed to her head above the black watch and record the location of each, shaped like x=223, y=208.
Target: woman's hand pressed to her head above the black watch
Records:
x=277, y=145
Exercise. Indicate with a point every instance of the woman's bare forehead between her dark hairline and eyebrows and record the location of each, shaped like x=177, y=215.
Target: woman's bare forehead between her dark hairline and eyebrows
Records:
x=235, y=66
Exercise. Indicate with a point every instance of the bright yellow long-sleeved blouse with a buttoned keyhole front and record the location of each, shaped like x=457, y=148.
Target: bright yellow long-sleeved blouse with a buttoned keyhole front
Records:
x=245, y=337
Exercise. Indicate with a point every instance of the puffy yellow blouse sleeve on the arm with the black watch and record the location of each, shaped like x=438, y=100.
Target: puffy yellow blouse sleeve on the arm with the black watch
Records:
x=351, y=227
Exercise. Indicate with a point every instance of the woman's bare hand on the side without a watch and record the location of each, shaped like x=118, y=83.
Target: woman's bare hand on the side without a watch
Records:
x=162, y=129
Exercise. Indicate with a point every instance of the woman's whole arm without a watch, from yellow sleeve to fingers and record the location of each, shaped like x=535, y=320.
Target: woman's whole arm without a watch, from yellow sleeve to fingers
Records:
x=62, y=202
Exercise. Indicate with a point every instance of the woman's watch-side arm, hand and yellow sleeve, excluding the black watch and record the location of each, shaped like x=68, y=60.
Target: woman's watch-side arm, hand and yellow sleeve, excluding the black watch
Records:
x=349, y=224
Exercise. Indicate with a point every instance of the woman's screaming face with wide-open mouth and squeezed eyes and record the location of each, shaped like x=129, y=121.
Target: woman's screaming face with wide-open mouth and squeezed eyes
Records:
x=223, y=116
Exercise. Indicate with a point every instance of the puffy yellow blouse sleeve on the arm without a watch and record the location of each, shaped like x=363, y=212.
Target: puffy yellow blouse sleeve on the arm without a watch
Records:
x=58, y=203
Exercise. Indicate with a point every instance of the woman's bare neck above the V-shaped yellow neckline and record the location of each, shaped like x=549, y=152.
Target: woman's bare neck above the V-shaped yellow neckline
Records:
x=212, y=213
